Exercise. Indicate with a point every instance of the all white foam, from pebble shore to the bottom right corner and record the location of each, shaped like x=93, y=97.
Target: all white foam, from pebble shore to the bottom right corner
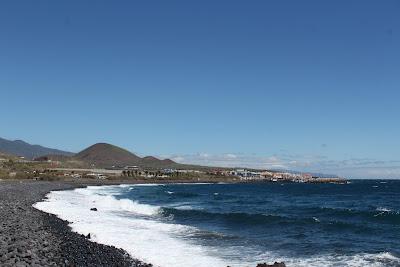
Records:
x=138, y=228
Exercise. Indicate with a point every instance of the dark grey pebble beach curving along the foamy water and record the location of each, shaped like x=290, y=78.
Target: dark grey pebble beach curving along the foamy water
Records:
x=29, y=237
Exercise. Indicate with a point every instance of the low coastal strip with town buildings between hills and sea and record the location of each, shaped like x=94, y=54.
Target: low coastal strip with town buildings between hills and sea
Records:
x=127, y=172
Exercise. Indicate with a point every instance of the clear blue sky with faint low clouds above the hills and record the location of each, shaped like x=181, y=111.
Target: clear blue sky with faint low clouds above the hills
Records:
x=303, y=85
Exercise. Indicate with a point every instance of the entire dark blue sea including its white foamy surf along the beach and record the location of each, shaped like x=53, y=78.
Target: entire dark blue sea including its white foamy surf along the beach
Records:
x=356, y=224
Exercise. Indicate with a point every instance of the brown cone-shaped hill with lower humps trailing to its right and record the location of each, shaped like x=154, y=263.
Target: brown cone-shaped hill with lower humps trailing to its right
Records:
x=104, y=155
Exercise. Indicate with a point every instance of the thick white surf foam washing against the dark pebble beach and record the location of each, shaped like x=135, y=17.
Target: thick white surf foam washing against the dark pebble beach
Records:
x=149, y=240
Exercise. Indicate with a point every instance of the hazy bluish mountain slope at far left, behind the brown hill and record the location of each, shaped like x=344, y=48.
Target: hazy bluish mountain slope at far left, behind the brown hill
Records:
x=23, y=149
